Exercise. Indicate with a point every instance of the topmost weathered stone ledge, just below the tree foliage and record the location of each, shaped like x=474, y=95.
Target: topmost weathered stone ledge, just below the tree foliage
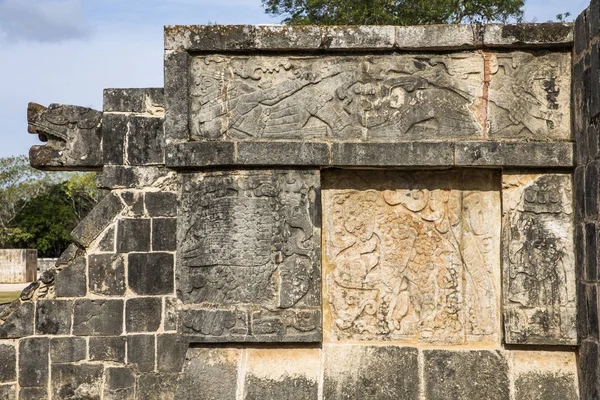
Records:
x=226, y=38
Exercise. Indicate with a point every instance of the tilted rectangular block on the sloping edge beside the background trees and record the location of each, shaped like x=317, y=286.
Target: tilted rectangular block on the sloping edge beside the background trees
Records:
x=98, y=219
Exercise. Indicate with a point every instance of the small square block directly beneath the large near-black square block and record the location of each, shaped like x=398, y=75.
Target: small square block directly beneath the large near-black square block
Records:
x=143, y=314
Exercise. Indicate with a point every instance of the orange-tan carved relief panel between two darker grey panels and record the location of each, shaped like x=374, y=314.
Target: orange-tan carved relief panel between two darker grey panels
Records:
x=412, y=256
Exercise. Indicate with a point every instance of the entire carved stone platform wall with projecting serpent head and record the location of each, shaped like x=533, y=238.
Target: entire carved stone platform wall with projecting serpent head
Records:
x=317, y=213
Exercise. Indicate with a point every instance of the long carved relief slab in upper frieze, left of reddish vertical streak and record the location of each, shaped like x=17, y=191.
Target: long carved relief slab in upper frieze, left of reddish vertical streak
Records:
x=388, y=98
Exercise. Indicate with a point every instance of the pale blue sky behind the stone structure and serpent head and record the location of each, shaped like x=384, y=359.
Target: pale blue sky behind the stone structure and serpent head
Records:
x=67, y=51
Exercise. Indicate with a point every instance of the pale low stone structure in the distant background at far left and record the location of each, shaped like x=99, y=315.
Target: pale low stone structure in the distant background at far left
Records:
x=18, y=265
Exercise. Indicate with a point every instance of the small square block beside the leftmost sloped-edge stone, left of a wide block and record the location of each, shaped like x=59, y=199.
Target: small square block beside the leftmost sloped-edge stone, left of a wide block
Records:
x=53, y=317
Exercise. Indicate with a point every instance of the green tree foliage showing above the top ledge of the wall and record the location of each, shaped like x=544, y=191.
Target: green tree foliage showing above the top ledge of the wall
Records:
x=393, y=12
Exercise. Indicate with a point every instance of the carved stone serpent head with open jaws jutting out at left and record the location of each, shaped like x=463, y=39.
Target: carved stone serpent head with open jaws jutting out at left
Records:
x=73, y=136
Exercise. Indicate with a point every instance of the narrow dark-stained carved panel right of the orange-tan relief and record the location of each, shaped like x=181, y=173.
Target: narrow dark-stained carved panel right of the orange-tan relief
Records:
x=539, y=271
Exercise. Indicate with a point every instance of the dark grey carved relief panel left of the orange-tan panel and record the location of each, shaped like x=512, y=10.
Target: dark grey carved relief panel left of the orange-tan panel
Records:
x=249, y=256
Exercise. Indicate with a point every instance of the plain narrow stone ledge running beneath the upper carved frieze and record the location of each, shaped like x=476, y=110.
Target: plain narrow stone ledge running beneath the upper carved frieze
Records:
x=195, y=155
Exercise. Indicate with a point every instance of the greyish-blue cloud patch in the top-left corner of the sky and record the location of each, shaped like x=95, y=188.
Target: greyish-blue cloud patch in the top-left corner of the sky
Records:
x=42, y=20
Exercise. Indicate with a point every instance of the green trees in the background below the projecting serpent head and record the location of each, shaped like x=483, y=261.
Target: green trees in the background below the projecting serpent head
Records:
x=39, y=209
